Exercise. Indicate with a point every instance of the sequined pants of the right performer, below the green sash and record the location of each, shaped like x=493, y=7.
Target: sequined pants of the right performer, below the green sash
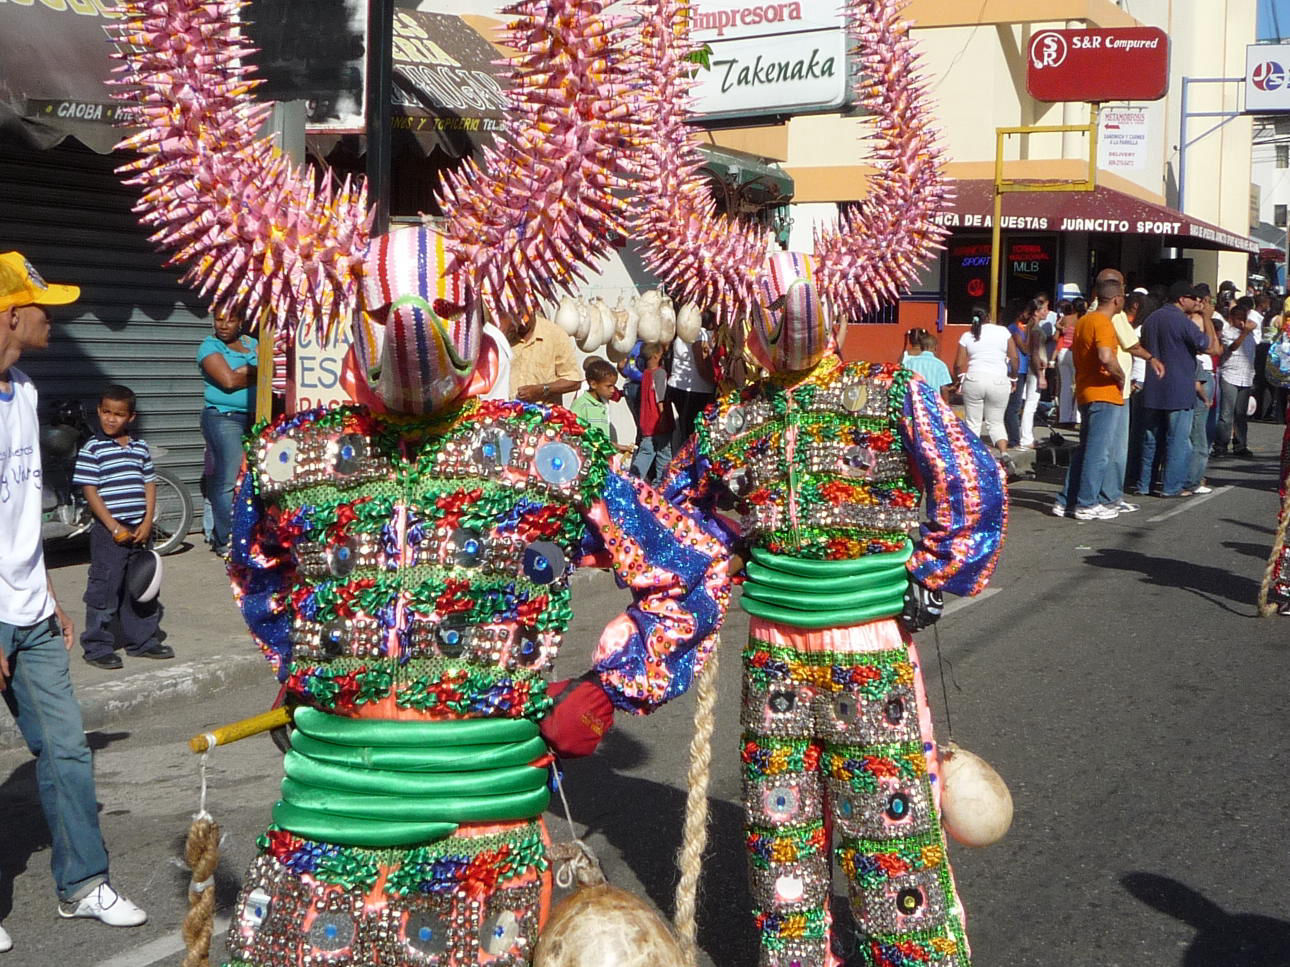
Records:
x=839, y=760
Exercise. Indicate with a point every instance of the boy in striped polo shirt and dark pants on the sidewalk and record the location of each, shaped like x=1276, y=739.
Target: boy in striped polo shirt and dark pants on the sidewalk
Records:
x=115, y=473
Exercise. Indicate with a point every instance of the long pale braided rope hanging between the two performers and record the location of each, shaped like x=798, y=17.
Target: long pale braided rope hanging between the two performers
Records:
x=696, y=836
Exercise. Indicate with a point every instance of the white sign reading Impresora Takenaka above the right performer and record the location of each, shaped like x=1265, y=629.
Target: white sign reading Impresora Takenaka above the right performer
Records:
x=771, y=57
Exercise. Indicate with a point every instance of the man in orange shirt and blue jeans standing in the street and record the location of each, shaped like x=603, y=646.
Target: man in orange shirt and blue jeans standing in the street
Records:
x=1098, y=391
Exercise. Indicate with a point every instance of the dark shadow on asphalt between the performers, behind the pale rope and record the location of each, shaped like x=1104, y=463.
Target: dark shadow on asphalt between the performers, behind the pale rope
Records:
x=643, y=822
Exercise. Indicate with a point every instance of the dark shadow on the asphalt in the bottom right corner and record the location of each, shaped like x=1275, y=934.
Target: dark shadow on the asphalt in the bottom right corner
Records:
x=1222, y=938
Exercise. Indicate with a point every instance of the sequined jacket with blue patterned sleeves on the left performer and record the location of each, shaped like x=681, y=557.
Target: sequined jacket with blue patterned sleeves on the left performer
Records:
x=398, y=568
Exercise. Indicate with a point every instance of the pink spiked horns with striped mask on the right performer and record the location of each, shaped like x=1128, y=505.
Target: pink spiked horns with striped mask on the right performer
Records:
x=865, y=261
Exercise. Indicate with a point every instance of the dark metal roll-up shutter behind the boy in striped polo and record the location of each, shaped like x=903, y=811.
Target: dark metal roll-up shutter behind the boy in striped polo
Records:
x=69, y=213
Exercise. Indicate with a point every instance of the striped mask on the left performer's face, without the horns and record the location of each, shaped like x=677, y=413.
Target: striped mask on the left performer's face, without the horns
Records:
x=419, y=341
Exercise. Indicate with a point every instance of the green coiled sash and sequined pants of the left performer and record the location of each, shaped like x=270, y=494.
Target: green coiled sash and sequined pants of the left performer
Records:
x=466, y=894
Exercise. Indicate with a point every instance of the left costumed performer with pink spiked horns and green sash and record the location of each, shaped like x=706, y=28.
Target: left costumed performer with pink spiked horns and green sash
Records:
x=406, y=564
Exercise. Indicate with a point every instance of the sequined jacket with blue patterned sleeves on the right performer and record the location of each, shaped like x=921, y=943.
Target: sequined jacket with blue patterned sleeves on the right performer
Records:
x=834, y=466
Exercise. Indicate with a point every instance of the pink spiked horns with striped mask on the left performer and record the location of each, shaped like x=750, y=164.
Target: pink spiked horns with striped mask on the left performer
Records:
x=264, y=243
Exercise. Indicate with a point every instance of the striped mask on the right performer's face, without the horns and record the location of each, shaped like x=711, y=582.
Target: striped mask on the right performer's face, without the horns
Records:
x=789, y=329
